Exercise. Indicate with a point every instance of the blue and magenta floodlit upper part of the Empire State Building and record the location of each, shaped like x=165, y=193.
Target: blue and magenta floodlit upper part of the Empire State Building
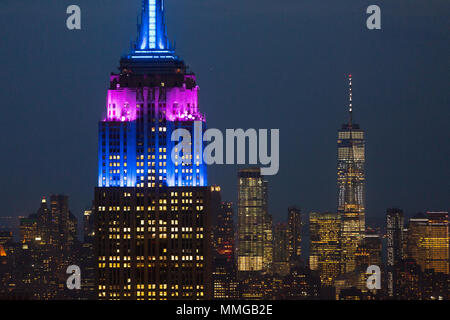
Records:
x=153, y=95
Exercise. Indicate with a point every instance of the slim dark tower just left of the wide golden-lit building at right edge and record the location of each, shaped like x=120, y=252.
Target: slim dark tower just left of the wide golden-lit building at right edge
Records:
x=394, y=230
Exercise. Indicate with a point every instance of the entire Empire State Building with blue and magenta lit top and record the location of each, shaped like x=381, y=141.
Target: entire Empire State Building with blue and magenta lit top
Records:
x=152, y=203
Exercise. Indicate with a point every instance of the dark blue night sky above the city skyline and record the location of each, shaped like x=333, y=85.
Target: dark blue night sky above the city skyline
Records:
x=260, y=64
